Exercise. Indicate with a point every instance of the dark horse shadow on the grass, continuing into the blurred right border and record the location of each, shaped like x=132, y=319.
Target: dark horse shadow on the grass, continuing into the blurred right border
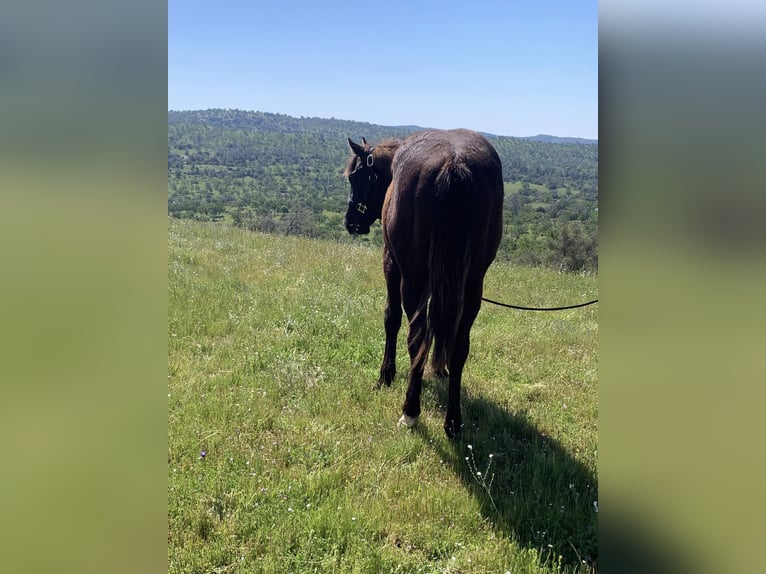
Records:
x=535, y=492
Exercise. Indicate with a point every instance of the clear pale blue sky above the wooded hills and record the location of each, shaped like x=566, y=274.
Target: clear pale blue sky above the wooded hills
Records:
x=508, y=67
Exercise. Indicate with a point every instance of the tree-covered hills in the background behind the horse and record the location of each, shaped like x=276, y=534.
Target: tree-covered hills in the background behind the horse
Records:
x=282, y=174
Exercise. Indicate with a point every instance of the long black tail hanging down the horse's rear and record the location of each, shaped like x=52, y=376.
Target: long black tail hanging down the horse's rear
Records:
x=449, y=259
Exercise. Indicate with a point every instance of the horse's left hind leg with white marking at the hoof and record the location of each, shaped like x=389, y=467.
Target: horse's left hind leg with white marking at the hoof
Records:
x=418, y=346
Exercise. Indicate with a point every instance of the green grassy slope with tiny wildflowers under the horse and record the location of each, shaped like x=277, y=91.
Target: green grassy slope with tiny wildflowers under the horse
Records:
x=274, y=346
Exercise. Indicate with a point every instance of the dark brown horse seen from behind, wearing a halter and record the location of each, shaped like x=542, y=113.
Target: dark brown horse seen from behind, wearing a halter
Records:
x=439, y=197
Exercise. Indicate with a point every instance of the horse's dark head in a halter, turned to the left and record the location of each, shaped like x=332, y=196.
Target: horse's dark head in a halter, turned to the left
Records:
x=369, y=175
